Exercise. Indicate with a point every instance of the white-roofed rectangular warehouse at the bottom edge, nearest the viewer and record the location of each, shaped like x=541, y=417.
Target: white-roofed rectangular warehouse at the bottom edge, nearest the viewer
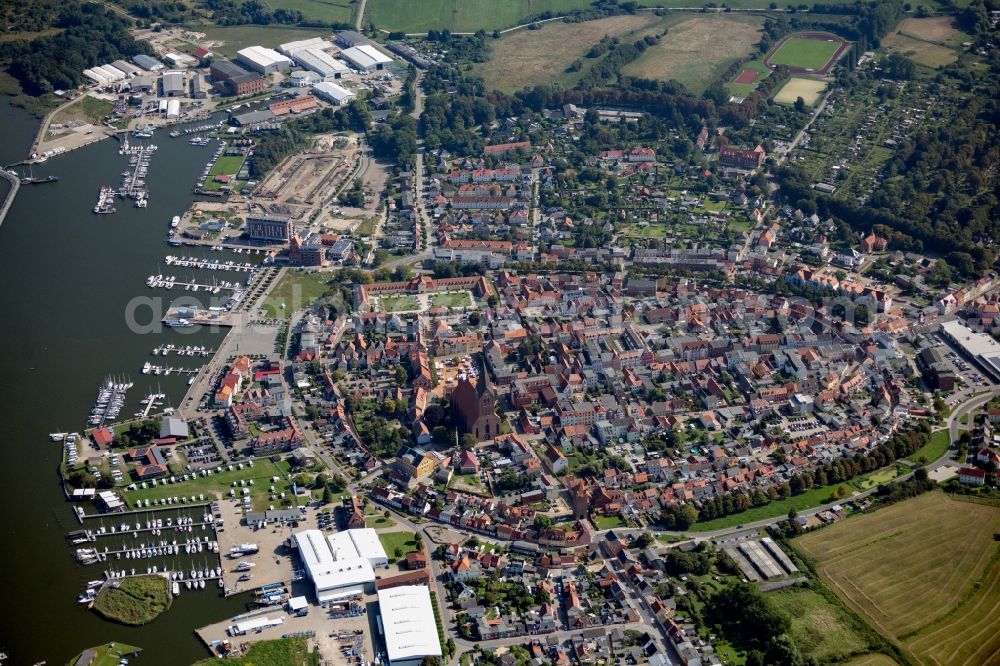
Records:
x=406, y=619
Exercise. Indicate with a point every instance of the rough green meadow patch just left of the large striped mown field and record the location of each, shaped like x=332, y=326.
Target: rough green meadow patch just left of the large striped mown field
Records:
x=822, y=630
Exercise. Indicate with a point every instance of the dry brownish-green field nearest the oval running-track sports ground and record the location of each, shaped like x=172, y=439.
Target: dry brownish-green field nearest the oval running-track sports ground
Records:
x=692, y=51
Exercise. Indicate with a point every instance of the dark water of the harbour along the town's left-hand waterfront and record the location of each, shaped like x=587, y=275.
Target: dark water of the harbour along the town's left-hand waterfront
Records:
x=67, y=277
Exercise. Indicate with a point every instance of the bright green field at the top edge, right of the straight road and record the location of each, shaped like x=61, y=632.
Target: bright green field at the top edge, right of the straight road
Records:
x=460, y=15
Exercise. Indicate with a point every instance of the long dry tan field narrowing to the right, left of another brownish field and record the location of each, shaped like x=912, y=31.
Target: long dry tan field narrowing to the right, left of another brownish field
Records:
x=530, y=57
